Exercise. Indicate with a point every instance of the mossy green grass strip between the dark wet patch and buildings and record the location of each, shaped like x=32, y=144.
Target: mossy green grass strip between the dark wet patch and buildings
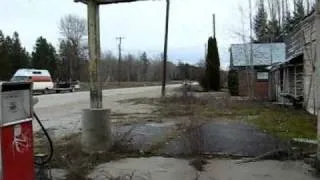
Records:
x=284, y=122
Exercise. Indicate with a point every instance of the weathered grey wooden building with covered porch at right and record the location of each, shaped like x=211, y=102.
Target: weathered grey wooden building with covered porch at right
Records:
x=295, y=78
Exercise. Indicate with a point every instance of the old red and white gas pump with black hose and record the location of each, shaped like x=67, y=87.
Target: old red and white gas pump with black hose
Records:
x=16, y=133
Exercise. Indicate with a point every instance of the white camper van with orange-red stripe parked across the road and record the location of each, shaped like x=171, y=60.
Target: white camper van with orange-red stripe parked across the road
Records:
x=41, y=79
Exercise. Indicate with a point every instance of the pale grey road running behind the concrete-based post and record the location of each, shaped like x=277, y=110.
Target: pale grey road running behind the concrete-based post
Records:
x=61, y=113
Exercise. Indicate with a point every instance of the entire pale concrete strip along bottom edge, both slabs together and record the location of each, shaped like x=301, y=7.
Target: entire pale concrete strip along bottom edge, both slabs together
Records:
x=159, y=168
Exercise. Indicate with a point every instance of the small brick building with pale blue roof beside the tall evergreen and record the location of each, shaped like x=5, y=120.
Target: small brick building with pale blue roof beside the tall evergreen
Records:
x=263, y=56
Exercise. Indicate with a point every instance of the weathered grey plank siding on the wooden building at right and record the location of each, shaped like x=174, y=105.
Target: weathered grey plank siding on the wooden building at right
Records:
x=302, y=41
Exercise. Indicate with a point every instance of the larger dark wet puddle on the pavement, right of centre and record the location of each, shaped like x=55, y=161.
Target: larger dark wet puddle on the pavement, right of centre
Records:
x=236, y=139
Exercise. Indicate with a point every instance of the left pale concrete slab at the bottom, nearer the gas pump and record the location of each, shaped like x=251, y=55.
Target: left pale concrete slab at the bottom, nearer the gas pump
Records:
x=156, y=168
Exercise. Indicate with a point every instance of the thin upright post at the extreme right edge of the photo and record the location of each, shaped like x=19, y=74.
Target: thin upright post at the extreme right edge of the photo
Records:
x=317, y=71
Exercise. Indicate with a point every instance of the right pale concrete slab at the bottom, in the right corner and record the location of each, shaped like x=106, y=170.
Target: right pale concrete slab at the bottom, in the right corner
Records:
x=262, y=170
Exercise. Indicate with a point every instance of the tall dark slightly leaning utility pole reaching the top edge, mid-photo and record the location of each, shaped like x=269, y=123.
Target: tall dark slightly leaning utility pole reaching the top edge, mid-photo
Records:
x=165, y=52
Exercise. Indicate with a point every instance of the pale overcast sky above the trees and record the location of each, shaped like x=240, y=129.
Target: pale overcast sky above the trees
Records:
x=142, y=23
